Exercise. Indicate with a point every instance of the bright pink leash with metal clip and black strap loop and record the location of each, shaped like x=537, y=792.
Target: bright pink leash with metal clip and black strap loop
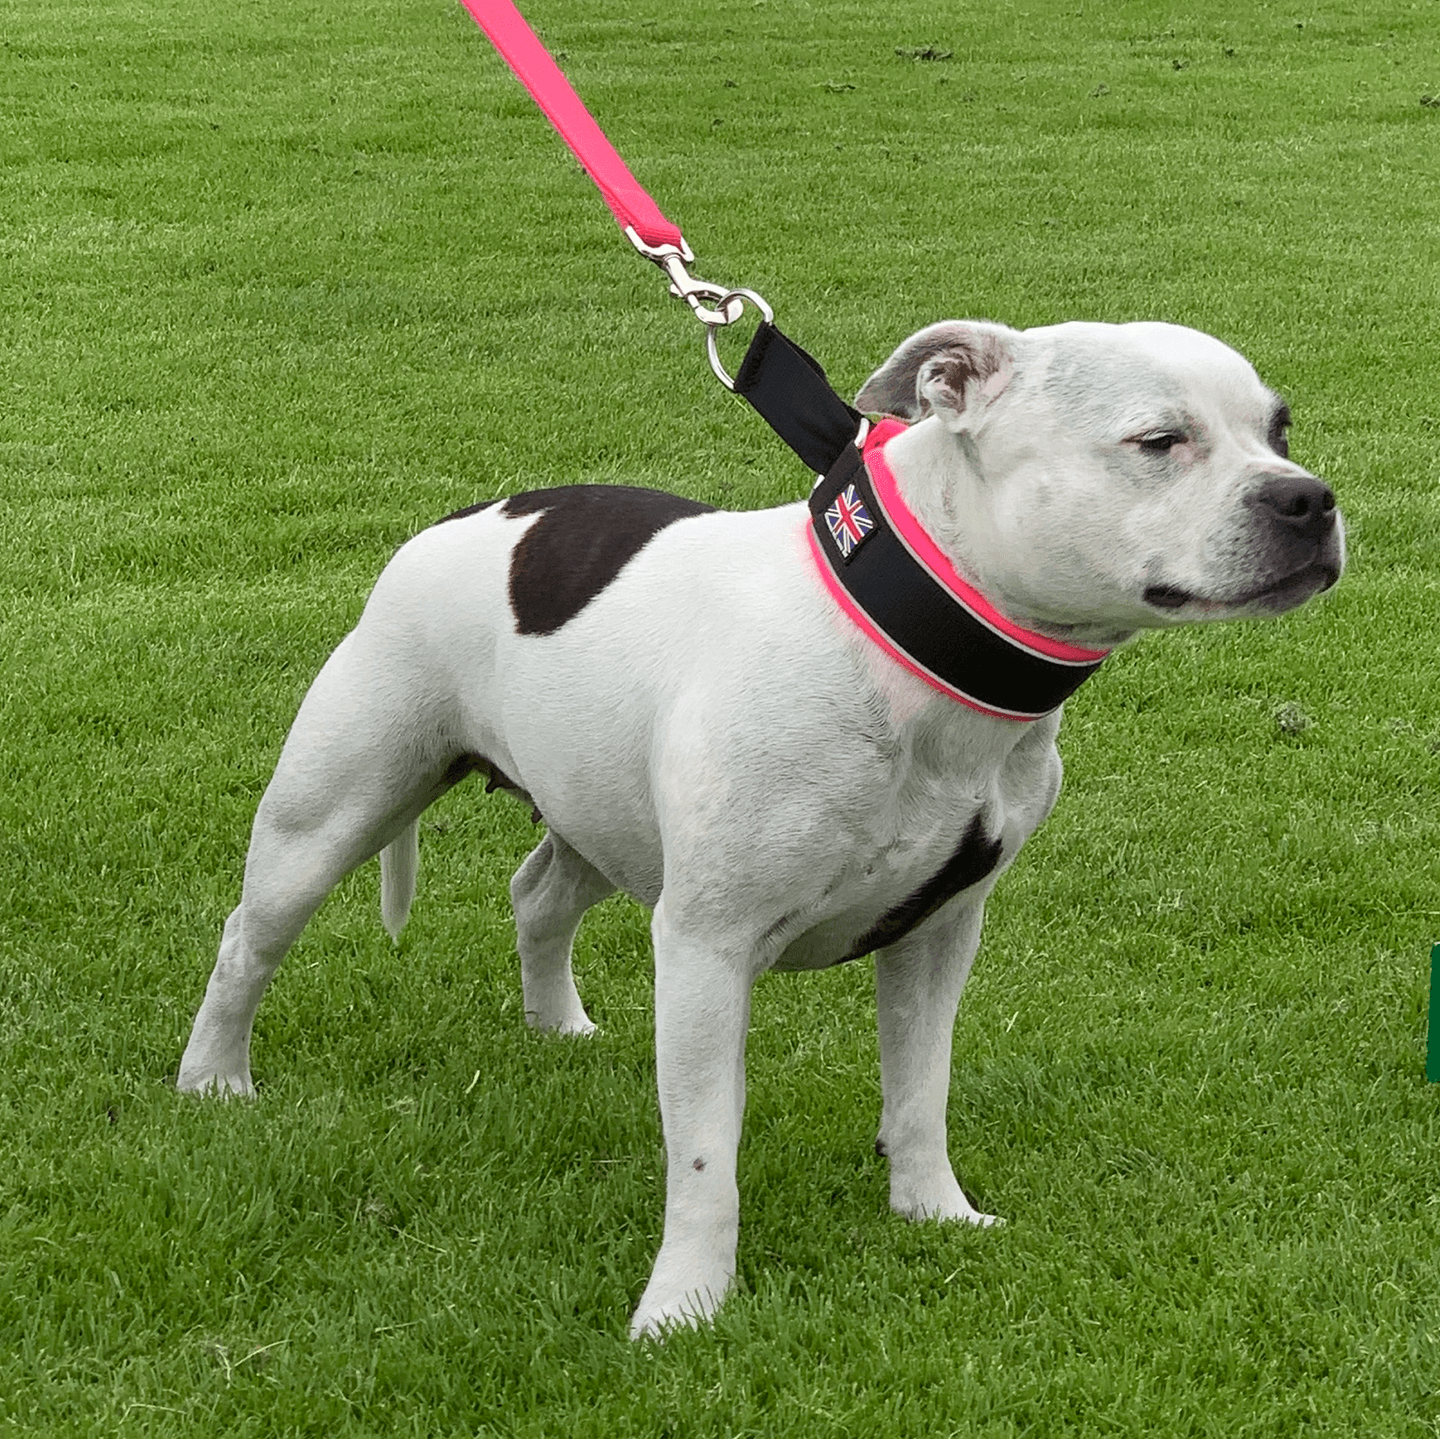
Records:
x=781, y=382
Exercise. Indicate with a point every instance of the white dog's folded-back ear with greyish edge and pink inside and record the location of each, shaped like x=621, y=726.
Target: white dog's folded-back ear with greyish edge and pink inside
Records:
x=953, y=369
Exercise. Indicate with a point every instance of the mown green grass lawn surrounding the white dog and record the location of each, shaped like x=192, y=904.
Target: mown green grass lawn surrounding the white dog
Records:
x=283, y=284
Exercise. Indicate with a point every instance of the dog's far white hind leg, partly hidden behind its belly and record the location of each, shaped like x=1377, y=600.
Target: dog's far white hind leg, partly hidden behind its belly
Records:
x=551, y=894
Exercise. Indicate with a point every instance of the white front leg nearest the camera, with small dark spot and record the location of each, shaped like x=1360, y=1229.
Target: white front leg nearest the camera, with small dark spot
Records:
x=702, y=1016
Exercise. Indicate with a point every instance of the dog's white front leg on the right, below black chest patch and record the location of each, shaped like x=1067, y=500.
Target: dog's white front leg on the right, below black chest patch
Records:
x=918, y=992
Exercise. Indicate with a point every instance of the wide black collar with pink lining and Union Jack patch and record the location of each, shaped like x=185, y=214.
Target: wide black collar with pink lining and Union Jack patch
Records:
x=898, y=587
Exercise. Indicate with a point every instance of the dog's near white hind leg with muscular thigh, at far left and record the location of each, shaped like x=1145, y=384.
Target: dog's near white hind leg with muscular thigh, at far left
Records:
x=362, y=763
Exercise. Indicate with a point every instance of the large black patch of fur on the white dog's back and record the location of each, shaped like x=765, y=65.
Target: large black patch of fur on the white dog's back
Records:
x=585, y=537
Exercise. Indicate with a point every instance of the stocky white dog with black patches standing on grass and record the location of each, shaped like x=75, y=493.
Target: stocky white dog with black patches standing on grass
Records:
x=705, y=722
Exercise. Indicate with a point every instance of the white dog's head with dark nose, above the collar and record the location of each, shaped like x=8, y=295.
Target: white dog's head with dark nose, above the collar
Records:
x=1102, y=479
